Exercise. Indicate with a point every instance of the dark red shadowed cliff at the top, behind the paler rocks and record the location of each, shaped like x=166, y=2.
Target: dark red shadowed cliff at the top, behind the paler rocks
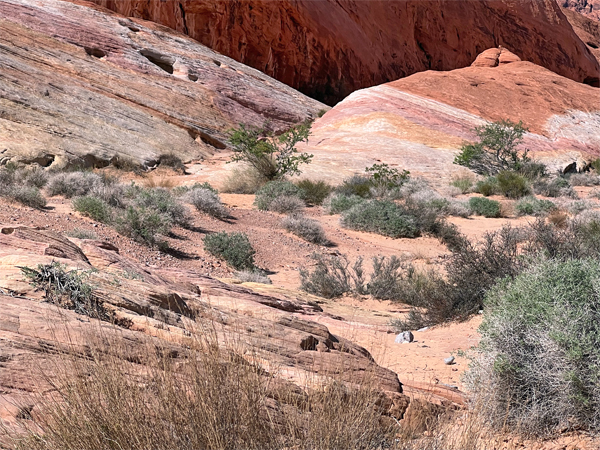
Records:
x=328, y=49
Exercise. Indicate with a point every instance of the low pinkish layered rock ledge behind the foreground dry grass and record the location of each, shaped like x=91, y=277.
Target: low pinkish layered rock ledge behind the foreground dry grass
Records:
x=165, y=308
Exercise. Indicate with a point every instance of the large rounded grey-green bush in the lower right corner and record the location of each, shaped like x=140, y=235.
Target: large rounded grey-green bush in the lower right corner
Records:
x=536, y=367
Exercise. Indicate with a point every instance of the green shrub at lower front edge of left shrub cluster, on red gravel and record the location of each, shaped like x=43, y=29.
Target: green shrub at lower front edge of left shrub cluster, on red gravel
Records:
x=144, y=225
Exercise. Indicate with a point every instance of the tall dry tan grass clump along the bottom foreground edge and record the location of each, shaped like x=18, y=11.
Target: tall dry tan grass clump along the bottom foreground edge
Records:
x=197, y=396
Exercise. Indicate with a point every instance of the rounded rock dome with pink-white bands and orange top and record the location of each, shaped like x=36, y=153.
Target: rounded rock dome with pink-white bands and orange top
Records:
x=420, y=122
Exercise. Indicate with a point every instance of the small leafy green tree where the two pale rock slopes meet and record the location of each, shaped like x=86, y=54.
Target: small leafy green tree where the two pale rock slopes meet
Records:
x=272, y=156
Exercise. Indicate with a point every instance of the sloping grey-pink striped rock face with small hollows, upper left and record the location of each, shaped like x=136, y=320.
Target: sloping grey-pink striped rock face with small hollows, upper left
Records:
x=80, y=84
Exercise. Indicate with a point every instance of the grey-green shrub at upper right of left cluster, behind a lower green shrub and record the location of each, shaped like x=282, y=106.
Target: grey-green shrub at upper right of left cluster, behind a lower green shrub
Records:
x=161, y=201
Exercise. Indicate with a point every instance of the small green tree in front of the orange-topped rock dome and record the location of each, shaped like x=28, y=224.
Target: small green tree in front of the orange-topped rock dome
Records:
x=497, y=149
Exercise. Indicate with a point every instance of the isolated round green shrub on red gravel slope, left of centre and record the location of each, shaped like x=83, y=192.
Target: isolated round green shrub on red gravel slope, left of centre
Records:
x=234, y=248
